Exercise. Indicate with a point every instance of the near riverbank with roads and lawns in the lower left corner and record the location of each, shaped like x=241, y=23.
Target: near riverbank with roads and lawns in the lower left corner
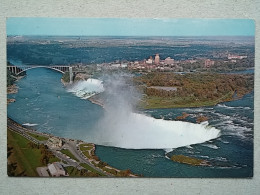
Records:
x=82, y=154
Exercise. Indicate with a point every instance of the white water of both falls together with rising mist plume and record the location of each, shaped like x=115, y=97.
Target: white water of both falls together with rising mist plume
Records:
x=123, y=126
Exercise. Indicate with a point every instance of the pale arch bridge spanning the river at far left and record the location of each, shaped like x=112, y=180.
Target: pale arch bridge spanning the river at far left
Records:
x=62, y=69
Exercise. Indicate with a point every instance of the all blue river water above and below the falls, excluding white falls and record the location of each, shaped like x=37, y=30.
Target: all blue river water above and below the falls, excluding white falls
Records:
x=43, y=100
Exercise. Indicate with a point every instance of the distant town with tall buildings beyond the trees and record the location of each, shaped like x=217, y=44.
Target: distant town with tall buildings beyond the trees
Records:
x=155, y=64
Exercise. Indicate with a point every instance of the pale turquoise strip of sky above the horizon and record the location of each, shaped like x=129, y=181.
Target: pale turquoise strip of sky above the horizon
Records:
x=129, y=27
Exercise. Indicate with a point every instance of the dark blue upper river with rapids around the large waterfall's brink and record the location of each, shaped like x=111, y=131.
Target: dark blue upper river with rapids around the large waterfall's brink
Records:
x=231, y=155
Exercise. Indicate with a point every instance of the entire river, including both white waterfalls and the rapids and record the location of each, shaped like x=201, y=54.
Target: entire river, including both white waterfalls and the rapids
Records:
x=143, y=141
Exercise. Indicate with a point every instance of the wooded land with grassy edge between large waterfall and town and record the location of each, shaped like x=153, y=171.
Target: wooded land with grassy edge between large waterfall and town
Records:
x=191, y=90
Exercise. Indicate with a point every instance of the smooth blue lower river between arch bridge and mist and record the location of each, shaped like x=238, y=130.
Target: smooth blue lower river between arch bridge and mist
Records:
x=43, y=100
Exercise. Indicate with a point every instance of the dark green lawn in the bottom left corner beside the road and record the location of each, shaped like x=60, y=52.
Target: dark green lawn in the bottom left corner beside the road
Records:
x=27, y=159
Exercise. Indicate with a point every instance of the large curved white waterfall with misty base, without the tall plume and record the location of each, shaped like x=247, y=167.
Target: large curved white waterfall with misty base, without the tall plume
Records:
x=137, y=131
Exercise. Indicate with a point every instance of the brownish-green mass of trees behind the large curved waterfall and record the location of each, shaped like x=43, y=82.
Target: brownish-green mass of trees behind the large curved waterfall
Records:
x=198, y=86
